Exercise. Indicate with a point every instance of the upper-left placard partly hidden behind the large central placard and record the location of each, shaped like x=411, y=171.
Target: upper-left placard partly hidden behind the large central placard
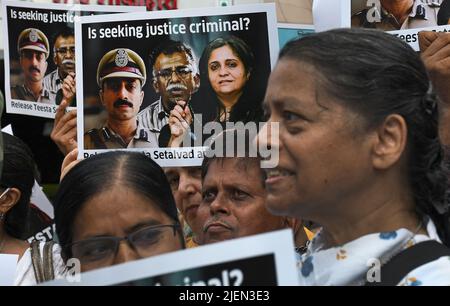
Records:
x=39, y=52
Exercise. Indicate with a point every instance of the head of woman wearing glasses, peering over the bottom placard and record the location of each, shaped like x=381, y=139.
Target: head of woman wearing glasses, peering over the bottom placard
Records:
x=113, y=208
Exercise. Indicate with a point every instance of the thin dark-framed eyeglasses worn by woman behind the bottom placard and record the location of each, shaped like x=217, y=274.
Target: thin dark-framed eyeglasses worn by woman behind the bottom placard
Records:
x=144, y=241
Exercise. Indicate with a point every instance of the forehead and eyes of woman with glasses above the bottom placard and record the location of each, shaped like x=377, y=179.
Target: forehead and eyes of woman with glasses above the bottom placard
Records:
x=117, y=213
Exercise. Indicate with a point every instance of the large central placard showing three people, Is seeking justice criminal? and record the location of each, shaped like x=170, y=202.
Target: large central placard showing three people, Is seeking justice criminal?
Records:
x=213, y=67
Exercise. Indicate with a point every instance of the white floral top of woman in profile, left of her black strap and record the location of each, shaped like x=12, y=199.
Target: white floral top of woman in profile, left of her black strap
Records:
x=348, y=264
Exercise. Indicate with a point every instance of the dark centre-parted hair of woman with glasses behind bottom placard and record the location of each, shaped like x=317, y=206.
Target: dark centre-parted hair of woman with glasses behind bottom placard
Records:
x=101, y=173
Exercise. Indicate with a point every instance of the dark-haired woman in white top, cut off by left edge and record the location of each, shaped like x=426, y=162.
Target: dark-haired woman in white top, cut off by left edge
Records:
x=18, y=219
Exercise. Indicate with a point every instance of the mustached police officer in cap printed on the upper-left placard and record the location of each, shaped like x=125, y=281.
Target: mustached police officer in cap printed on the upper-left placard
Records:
x=33, y=49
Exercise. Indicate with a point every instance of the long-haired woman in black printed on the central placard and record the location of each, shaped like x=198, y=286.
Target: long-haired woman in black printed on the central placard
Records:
x=226, y=68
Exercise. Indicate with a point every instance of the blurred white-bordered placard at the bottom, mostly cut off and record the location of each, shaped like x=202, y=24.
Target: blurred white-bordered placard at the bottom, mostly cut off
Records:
x=261, y=260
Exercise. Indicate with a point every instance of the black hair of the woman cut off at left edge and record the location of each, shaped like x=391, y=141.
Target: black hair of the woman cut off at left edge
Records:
x=19, y=171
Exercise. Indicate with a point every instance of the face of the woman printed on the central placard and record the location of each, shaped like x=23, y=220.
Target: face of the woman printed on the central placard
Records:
x=226, y=72
